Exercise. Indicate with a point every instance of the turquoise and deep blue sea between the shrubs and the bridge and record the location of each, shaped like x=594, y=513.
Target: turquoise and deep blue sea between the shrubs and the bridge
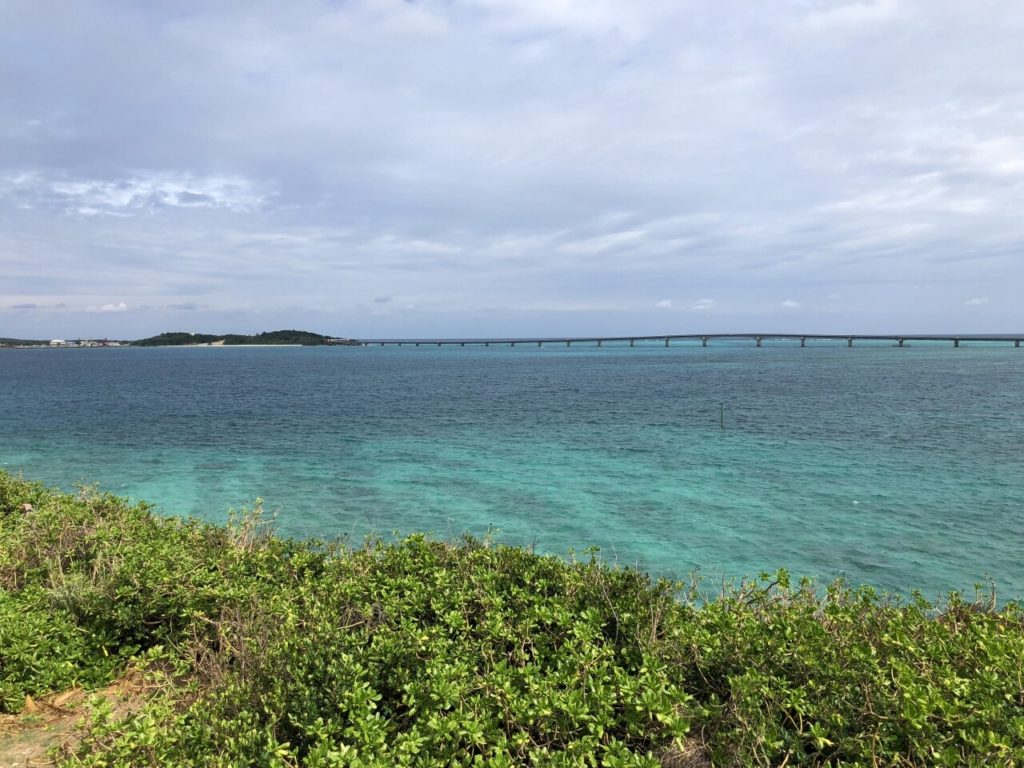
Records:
x=902, y=468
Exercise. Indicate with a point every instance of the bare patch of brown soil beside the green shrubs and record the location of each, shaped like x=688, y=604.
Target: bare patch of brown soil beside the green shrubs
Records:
x=28, y=740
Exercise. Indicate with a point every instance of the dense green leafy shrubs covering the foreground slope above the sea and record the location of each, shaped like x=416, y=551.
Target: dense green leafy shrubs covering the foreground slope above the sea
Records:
x=268, y=652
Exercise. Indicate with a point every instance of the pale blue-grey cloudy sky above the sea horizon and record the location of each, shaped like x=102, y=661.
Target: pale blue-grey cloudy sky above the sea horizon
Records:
x=440, y=168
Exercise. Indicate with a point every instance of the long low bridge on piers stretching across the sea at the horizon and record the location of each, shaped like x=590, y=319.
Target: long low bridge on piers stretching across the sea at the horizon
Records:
x=757, y=338
